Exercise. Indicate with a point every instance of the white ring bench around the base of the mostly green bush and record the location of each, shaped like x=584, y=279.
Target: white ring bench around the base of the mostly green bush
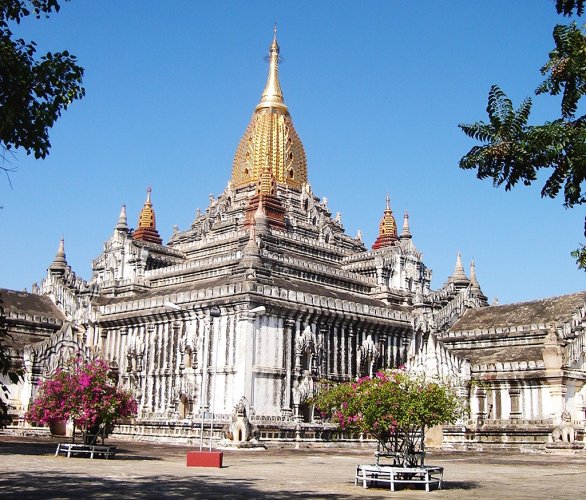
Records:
x=425, y=474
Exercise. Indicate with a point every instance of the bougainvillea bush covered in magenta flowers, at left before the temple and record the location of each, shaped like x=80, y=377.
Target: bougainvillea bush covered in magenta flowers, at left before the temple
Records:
x=84, y=393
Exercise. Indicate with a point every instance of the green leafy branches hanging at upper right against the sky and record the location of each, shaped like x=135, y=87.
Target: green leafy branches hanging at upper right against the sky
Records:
x=513, y=151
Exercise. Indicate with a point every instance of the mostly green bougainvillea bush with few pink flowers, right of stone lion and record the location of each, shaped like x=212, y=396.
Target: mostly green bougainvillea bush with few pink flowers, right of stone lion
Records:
x=394, y=407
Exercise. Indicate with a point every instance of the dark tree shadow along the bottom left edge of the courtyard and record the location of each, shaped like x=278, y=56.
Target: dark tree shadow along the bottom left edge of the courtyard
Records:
x=57, y=485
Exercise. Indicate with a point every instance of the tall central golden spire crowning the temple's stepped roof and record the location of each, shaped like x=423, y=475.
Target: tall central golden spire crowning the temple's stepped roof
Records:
x=270, y=138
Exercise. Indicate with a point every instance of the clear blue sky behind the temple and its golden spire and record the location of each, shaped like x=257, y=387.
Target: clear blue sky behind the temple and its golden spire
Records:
x=376, y=91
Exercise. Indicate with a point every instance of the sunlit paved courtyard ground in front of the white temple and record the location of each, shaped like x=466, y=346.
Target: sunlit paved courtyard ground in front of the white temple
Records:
x=29, y=470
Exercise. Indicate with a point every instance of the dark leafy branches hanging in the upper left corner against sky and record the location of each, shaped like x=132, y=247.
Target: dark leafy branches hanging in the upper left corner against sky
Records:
x=33, y=91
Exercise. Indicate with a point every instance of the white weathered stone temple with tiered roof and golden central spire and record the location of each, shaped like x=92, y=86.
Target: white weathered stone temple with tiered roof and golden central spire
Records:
x=265, y=294
